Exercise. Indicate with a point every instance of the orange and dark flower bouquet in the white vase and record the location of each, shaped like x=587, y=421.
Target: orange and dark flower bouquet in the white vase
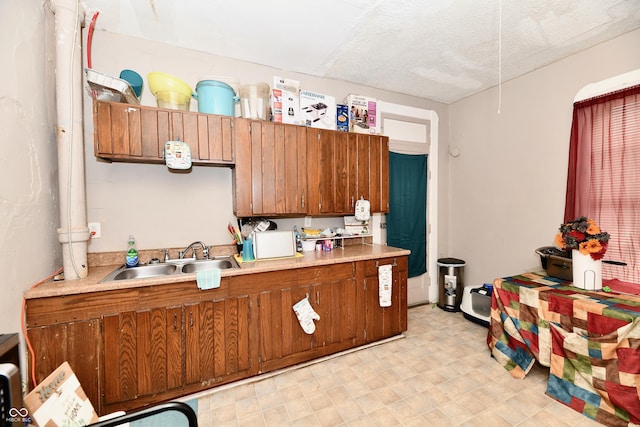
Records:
x=584, y=235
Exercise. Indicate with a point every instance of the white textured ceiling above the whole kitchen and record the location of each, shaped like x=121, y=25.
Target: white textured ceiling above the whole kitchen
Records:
x=443, y=50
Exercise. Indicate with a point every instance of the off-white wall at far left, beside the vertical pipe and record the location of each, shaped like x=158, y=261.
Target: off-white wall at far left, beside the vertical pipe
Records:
x=29, y=216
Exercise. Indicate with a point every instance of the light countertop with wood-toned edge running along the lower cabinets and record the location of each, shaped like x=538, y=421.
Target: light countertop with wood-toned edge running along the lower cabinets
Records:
x=91, y=283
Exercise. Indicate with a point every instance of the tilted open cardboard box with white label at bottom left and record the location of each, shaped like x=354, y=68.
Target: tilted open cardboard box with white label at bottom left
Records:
x=59, y=401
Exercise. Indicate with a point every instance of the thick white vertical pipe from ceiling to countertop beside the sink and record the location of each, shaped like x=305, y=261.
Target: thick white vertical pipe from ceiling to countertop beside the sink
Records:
x=73, y=233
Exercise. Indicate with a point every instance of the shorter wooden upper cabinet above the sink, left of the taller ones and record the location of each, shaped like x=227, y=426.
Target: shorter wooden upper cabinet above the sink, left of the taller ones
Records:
x=134, y=133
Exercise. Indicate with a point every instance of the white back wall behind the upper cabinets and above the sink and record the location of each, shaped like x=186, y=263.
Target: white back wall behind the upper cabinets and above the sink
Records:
x=164, y=209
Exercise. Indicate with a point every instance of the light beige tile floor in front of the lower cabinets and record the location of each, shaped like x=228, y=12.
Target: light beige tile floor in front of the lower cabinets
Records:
x=439, y=374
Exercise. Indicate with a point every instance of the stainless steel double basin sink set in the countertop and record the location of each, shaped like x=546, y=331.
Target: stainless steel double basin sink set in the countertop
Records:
x=169, y=268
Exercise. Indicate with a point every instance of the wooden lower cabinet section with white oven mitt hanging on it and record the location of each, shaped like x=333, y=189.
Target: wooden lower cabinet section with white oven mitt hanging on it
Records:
x=332, y=292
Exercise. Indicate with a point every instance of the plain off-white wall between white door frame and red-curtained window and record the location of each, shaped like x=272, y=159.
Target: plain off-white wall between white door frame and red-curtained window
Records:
x=507, y=187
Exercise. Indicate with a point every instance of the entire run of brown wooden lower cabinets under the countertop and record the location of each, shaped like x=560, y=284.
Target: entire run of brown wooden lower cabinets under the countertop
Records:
x=136, y=347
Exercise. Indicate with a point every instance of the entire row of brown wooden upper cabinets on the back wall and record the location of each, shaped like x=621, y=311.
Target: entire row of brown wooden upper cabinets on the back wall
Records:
x=280, y=169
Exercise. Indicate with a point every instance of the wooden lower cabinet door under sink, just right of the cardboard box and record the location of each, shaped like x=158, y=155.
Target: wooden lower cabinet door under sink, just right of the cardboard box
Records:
x=140, y=356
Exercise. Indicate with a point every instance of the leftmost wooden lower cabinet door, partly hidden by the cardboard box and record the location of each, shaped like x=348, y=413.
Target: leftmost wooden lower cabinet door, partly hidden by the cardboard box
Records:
x=77, y=343
